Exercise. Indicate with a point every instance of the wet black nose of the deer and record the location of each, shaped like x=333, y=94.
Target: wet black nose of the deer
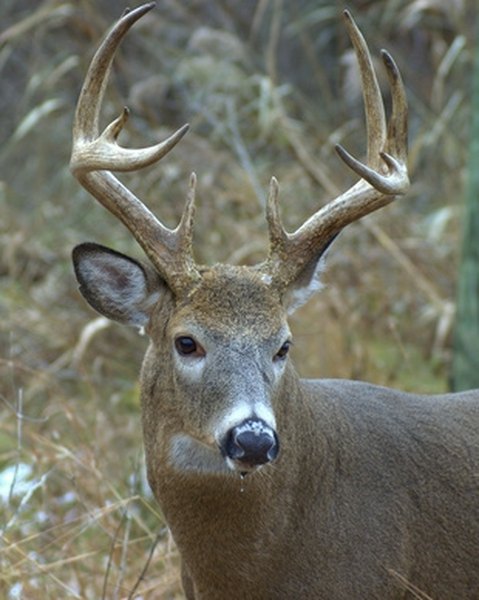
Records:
x=252, y=443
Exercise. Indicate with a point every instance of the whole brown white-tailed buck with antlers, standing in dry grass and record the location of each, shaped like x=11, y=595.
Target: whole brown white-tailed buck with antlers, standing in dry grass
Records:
x=351, y=491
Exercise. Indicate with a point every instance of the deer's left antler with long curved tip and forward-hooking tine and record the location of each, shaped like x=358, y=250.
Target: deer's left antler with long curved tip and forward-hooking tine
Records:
x=95, y=154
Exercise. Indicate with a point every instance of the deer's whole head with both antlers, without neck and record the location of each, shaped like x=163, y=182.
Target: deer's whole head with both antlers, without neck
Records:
x=214, y=378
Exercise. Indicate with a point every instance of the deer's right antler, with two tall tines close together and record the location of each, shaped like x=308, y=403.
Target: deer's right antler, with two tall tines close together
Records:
x=382, y=178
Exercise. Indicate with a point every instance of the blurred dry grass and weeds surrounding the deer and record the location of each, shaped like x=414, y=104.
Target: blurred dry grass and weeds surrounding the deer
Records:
x=268, y=87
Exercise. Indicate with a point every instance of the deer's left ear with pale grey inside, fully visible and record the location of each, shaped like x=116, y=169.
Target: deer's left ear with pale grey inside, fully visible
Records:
x=115, y=285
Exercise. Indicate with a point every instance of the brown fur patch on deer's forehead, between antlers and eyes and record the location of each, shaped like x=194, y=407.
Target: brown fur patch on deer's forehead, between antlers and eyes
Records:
x=231, y=298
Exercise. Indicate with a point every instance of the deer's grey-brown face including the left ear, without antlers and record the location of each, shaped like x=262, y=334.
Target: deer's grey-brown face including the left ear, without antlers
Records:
x=216, y=359
